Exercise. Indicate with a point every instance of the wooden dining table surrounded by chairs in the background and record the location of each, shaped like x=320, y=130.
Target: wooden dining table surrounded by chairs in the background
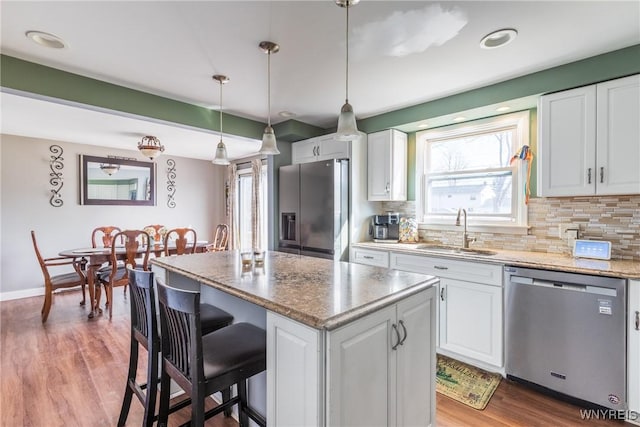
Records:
x=96, y=257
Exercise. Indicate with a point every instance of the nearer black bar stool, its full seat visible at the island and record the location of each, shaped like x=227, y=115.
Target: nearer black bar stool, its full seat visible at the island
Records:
x=202, y=365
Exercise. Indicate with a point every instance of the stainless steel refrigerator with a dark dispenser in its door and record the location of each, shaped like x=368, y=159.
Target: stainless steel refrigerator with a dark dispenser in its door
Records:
x=314, y=209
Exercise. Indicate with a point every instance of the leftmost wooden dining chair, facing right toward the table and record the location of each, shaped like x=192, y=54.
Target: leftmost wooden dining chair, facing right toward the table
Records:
x=59, y=281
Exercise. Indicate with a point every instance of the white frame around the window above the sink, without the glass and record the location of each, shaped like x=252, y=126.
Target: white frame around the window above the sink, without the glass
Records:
x=517, y=222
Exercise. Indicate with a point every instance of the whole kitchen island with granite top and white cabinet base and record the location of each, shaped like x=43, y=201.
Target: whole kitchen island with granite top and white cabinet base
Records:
x=347, y=344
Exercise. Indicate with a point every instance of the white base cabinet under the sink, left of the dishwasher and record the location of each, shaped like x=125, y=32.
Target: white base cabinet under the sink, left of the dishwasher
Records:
x=469, y=305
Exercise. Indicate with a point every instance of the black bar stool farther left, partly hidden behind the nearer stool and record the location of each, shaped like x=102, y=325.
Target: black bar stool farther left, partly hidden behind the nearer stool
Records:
x=144, y=332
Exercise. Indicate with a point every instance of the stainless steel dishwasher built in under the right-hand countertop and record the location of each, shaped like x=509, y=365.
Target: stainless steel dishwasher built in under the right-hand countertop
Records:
x=566, y=333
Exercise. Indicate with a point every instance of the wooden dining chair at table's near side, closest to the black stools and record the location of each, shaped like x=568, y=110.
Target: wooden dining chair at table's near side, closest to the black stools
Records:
x=135, y=255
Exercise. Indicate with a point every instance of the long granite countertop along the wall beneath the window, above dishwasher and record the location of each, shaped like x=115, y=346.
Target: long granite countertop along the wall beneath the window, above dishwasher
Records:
x=543, y=260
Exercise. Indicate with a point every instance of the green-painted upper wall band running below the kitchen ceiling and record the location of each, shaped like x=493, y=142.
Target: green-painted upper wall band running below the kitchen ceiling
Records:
x=24, y=76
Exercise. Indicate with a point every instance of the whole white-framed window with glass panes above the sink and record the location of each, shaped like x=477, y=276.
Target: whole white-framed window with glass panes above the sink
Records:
x=469, y=166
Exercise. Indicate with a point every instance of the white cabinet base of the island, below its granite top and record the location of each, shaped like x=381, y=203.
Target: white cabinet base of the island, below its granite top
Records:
x=378, y=370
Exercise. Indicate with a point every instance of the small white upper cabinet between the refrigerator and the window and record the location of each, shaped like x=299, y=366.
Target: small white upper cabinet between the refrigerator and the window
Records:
x=387, y=165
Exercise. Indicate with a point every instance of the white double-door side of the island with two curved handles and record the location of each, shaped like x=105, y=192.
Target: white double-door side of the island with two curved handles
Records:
x=382, y=367
